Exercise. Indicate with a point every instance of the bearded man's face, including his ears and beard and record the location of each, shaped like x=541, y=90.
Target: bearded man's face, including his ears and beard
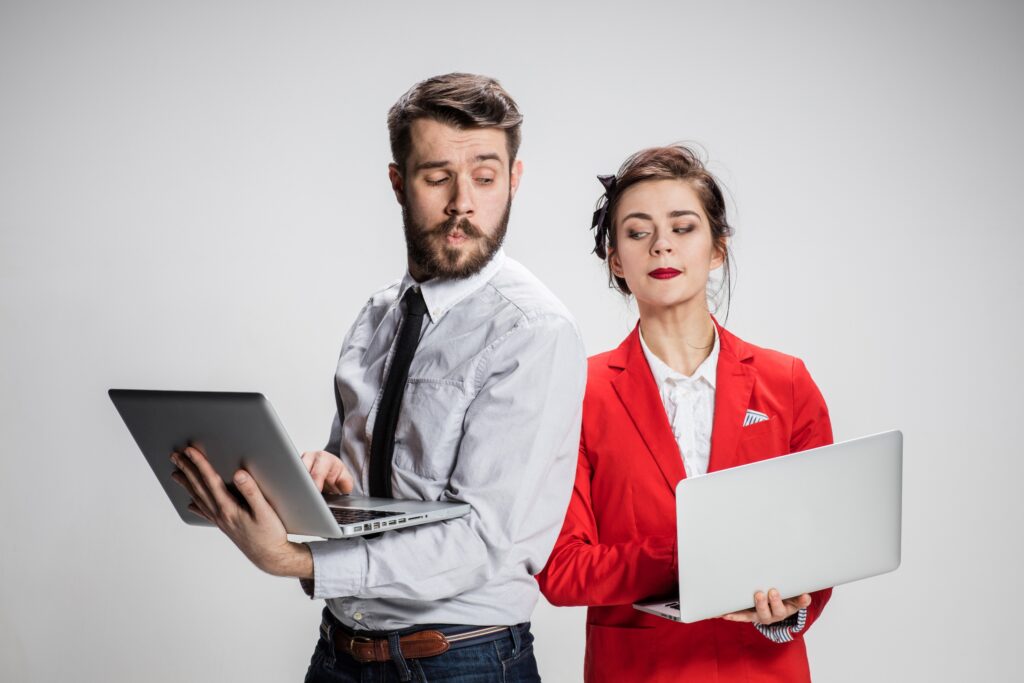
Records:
x=456, y=193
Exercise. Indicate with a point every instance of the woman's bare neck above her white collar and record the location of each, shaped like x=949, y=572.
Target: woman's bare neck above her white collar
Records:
x=681, y=336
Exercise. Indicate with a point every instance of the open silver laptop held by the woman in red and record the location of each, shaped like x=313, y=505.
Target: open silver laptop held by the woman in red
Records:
x=799, y=524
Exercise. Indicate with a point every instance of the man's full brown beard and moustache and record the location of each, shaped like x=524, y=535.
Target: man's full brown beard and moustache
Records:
x=429, y=251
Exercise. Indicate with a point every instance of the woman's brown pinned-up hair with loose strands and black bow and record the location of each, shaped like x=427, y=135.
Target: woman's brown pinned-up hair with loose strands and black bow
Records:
x=675, y=162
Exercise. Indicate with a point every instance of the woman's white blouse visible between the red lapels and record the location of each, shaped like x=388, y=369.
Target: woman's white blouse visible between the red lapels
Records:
x=690, y=404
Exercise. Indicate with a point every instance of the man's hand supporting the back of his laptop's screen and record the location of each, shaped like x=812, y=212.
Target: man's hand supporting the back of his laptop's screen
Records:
x=258, y=531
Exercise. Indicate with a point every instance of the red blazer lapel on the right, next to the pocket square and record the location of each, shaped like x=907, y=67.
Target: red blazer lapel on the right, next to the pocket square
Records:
x=735, y=383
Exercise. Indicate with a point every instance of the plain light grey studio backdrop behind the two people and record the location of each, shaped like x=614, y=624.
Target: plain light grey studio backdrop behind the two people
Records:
x=194, y=195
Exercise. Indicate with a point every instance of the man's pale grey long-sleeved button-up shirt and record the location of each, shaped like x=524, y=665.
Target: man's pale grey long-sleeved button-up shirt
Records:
x=491, y=416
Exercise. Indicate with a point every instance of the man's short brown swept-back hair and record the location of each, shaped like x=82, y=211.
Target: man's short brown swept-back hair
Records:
x=463, y=101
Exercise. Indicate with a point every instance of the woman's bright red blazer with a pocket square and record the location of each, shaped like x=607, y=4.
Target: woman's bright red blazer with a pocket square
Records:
x=619, y=541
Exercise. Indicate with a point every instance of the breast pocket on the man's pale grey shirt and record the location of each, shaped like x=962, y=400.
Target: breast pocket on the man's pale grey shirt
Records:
x=430, y=429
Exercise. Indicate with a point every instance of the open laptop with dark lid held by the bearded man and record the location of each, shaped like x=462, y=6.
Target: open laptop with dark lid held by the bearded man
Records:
x=241, y=431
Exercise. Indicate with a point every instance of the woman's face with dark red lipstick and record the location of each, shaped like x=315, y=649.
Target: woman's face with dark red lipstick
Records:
x=664, y=247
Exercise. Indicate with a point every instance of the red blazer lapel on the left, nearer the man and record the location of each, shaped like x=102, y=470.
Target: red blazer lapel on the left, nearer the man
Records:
x=635, y=388
